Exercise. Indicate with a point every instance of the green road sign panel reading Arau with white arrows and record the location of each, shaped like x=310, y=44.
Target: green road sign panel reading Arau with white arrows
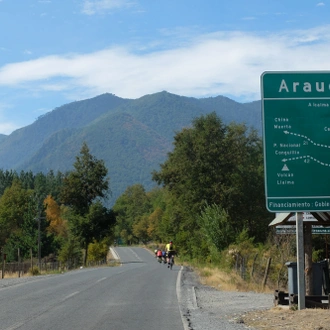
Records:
x=296, y=137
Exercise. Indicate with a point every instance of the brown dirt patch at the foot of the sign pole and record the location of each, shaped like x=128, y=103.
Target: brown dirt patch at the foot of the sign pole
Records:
x=284, y=318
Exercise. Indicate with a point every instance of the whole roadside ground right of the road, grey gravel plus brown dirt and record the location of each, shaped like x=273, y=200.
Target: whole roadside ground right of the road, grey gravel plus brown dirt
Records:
x=204, y=307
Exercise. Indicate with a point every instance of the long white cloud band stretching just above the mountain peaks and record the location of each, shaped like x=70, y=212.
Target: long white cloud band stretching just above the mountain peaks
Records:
x=223, y=63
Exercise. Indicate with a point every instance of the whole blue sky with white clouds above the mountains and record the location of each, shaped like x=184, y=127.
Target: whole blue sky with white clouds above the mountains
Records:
x=53, y=52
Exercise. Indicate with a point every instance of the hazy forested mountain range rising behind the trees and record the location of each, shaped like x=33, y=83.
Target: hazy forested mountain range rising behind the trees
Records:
x=132, y=136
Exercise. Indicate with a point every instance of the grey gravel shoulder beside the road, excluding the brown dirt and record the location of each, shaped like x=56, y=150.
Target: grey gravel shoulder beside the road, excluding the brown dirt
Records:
x=205, y=307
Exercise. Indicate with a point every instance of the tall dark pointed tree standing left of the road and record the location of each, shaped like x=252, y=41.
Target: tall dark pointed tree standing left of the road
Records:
x=83, y=188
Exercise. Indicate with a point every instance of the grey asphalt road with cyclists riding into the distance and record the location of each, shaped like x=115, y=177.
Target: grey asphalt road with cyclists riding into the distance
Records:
x=139, y=295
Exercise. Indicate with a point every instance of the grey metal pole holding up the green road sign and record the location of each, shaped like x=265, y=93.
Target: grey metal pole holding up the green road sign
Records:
x=300, y=260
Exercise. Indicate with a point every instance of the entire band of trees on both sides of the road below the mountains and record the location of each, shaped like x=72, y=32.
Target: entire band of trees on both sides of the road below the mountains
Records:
x=208, y=195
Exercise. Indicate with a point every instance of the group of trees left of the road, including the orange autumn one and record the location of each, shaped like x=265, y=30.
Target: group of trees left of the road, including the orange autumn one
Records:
x=63, y=212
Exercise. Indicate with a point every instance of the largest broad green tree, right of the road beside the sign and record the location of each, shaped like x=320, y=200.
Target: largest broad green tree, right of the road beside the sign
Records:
x=214, y=164
